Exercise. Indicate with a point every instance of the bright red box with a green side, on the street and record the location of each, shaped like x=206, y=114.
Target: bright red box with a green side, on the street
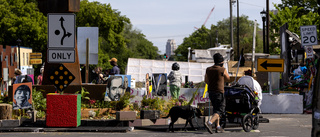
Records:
x=63, y=110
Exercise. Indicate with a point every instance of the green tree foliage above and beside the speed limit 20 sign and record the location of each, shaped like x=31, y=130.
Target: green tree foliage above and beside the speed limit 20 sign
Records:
x=290, y=15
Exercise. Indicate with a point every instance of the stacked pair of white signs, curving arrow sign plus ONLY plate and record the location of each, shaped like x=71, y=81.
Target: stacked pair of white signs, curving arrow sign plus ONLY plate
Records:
x=61, y=38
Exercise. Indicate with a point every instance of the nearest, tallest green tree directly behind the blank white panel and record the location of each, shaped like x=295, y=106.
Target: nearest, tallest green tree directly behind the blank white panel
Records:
x=111, y=24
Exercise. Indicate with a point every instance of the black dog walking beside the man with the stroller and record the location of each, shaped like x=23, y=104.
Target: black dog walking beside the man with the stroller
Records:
x=185, y=112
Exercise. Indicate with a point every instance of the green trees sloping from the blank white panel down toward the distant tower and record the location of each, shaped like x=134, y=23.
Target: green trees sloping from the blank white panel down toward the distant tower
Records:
x=116, y=36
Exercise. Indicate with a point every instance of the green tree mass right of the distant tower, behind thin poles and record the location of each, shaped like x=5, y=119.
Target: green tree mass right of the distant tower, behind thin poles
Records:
x=200, y=39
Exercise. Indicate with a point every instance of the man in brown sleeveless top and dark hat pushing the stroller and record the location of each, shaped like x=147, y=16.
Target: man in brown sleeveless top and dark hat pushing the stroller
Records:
x=215, y=77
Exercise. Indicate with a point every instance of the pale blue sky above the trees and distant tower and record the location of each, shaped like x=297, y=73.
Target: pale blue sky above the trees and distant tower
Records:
x=161, y=20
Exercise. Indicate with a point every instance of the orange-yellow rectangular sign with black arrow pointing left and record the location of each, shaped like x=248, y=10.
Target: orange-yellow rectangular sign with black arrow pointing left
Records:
x=270, y=65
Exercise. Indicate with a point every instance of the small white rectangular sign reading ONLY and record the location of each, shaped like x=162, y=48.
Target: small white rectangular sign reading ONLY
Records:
x=61, y=56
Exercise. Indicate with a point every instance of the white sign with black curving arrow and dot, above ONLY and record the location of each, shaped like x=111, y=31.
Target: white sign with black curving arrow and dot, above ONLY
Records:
x=61, y=30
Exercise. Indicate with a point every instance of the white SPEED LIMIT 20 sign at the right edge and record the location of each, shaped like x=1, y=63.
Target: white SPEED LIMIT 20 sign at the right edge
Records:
x=308, y=35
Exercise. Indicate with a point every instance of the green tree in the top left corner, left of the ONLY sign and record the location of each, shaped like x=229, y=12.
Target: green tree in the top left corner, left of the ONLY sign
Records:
x=20, y=19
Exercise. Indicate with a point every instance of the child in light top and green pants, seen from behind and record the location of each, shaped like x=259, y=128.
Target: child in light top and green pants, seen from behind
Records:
x=175, y=80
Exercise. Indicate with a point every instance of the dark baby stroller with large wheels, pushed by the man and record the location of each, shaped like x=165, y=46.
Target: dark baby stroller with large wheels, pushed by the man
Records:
x=241, y=107
